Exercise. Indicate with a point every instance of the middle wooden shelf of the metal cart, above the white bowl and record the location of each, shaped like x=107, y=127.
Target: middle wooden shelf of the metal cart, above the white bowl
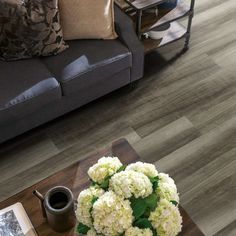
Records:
x=151, y=21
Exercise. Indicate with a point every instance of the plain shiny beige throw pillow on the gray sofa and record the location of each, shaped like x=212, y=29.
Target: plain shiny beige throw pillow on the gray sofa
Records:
x=87, y=19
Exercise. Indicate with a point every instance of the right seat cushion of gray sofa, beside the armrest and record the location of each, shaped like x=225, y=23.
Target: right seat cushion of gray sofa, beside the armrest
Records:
x=87, y=62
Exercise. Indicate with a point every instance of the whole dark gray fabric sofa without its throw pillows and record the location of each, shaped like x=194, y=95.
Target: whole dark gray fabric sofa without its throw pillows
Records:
x=36, y=91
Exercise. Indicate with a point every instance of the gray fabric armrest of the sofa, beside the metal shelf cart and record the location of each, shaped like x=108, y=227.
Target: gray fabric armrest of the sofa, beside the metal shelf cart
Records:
x=125, y=30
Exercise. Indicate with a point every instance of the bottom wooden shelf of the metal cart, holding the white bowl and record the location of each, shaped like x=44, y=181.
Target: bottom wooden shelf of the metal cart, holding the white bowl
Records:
x=176, y=32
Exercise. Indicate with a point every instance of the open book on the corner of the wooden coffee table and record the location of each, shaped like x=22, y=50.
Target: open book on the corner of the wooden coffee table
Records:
x=14, y=221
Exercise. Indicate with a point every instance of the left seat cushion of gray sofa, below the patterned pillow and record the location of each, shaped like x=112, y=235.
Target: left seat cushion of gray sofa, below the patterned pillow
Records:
x=25, y=87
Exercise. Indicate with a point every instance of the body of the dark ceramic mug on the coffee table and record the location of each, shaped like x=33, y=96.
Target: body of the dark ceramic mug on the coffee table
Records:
x=60, y=208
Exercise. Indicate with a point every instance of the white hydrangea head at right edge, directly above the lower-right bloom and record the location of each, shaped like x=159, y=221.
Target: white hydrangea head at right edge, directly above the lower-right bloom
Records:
x=167, y=188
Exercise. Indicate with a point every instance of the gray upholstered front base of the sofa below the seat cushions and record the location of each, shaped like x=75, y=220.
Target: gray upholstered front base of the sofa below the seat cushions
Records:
x=57, y=108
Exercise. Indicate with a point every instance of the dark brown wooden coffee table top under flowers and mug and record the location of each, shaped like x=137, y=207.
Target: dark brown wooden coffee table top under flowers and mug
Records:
x=75, y=177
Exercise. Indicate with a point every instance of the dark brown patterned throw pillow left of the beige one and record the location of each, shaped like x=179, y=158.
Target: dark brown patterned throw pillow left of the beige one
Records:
x=29, y=28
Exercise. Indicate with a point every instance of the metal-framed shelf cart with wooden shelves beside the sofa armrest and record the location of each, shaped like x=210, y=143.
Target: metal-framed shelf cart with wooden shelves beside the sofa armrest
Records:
x=145, y=21
